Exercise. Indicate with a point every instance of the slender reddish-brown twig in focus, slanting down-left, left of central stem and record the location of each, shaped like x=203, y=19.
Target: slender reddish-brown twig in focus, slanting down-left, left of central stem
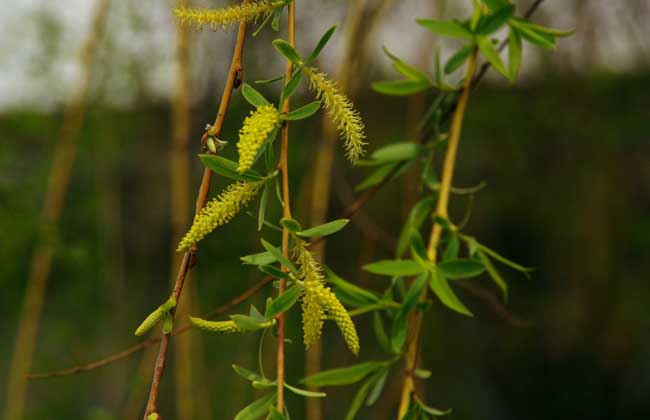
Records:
x=233, y=80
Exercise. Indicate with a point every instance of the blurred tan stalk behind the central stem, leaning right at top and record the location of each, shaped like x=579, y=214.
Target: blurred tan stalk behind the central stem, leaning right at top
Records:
x=359, y=28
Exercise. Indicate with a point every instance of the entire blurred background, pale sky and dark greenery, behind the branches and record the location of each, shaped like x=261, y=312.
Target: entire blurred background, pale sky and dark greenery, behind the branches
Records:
x=564, y=152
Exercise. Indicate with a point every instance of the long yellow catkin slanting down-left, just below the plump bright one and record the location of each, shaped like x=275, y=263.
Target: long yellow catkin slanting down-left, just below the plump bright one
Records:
x=220, y=211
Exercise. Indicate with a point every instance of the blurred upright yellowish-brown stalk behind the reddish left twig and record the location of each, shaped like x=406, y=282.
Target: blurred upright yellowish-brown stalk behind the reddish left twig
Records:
x=187, y=354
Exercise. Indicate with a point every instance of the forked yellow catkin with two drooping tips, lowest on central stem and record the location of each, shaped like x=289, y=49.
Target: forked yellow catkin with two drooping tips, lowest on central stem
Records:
x=319, y=299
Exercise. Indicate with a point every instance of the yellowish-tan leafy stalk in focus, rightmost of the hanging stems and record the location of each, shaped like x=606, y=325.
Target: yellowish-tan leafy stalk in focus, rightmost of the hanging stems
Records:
x=434, y=239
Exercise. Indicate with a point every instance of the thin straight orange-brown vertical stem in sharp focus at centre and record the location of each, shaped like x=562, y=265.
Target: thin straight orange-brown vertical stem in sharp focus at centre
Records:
x=286, y=211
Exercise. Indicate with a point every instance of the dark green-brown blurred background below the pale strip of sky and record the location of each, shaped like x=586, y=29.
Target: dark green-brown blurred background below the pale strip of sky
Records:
x=565, y=158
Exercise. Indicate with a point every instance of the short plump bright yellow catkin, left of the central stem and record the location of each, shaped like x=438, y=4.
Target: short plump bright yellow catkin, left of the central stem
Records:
x=253, y=133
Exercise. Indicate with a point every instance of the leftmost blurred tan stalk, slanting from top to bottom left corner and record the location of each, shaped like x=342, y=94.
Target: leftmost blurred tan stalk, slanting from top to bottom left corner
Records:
x=59, y=179
